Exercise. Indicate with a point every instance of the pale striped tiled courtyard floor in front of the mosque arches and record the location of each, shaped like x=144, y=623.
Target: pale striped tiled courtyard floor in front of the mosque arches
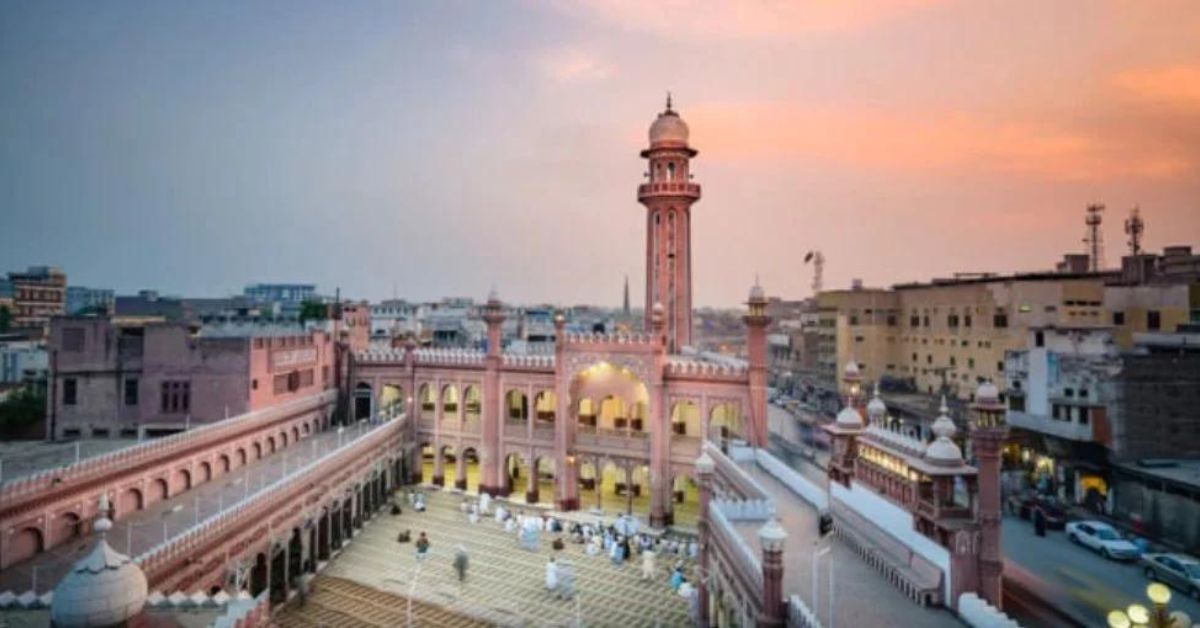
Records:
x=505, y=583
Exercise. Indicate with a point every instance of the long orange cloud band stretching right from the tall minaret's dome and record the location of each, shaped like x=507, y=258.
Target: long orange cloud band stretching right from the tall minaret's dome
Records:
x=926, y=140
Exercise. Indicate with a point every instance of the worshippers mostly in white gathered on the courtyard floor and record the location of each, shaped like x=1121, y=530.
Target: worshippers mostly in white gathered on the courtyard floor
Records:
x=621, y=541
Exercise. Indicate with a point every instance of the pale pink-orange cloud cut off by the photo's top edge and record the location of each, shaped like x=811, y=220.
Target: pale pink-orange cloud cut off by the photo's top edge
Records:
x=751, y=19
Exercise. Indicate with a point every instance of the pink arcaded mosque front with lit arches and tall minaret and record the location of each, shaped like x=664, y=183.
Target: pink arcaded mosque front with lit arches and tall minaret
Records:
x=605, y=416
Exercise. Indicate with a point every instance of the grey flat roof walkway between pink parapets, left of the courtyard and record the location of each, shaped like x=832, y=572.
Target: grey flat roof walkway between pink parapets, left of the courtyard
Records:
x=149, y=528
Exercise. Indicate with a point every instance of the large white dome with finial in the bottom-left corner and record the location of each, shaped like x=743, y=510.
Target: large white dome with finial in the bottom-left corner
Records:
x=104, y=589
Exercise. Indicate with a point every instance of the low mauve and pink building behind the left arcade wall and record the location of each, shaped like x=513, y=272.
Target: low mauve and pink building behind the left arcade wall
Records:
x=111, y=379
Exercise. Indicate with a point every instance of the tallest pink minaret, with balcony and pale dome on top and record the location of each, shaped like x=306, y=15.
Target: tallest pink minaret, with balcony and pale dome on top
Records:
x=668, y=198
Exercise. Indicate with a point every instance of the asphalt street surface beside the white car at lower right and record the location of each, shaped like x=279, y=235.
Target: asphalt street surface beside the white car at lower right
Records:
x=1076, y=578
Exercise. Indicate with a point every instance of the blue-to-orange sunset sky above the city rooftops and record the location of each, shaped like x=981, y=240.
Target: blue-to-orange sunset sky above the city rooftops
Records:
x=430, y=149
